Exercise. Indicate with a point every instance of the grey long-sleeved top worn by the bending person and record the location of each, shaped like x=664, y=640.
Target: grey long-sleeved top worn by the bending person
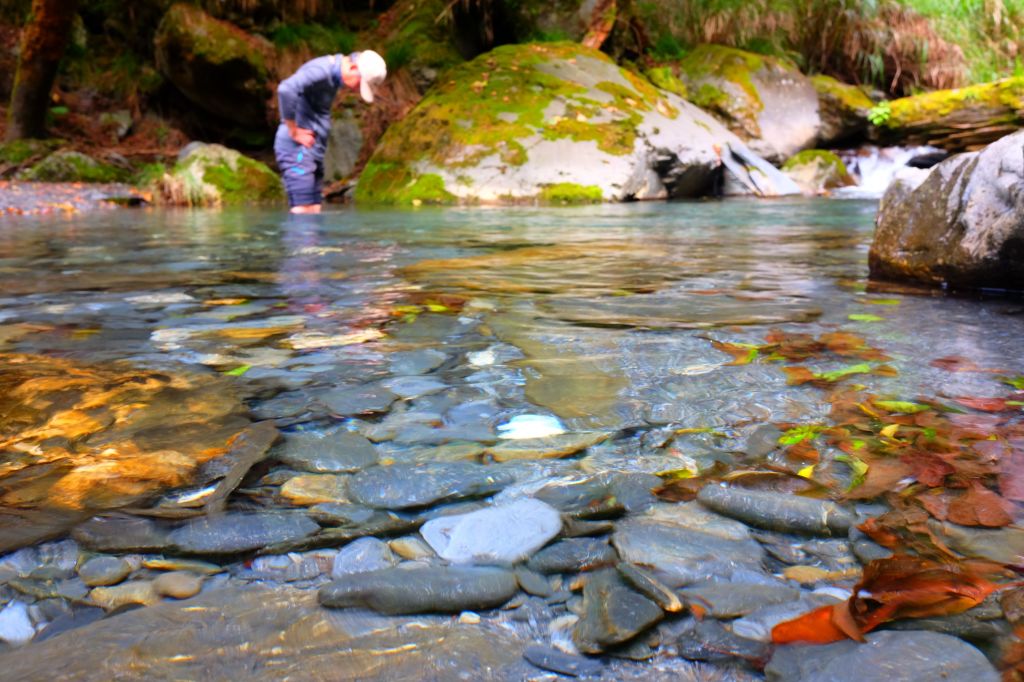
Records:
x=307, y=96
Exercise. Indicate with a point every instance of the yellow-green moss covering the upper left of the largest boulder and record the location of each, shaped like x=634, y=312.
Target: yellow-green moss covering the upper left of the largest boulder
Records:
x=493, y=106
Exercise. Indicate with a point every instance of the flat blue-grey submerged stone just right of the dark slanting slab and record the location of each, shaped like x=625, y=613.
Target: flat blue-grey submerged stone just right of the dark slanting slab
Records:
x=335, y=451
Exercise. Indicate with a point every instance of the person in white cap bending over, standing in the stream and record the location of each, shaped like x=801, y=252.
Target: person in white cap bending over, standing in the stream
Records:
x=306, y=99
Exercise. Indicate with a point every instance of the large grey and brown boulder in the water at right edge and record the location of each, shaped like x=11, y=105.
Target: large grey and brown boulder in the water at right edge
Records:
x=961, y=226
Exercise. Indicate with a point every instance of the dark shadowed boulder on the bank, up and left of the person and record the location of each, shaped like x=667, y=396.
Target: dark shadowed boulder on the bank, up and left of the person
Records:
x=218, y=66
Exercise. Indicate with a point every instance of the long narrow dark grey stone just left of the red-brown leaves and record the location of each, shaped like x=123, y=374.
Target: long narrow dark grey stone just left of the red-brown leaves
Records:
x=779, y=511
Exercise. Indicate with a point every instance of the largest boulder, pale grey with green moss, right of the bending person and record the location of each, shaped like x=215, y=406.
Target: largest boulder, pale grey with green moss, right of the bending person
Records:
x=525, y=121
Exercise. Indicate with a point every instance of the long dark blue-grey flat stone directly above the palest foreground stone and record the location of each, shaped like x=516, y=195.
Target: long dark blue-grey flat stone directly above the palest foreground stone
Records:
x=410, y=486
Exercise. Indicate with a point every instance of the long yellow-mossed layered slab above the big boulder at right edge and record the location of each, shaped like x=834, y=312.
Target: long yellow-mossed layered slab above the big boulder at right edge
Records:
x=964, y=119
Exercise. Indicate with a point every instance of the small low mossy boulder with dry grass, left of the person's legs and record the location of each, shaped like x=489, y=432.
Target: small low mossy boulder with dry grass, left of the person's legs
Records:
x=214, y=176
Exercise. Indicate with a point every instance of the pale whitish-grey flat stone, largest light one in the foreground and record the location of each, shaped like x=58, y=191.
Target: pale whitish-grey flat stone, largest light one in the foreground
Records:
x=500, y=535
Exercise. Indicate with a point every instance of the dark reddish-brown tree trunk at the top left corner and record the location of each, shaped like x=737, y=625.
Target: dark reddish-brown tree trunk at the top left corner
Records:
x=44, y=41
